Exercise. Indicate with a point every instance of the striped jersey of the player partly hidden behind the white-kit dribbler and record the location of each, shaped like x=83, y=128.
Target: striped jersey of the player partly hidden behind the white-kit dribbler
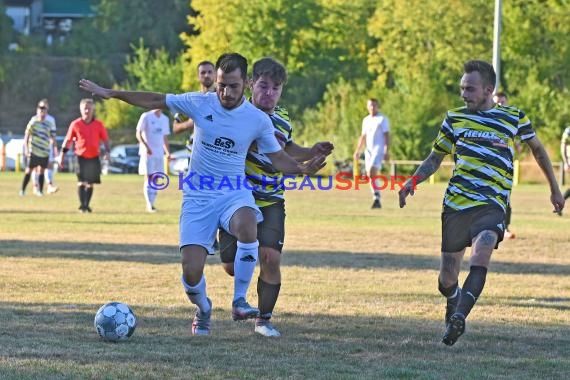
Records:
x=265, y=179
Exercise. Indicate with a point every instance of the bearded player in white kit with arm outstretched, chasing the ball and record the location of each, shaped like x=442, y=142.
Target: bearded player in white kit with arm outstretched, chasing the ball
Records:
x=225, y=127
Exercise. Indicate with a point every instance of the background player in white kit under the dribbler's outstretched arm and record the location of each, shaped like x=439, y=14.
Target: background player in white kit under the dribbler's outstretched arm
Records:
x=153, y=129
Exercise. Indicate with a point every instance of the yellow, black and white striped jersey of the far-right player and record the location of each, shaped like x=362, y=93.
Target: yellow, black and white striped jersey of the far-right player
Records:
x=482, y=143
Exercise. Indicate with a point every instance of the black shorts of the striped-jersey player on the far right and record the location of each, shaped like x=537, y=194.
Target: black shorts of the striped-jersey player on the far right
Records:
x=460, y=227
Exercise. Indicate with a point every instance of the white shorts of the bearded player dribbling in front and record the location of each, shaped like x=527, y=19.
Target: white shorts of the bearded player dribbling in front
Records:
x=201, y=218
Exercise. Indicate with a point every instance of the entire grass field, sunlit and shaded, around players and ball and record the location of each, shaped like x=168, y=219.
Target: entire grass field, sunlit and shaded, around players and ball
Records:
x=359, y=298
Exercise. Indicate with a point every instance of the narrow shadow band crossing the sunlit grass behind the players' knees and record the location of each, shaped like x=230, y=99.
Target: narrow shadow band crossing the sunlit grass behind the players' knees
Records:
x=168, y=254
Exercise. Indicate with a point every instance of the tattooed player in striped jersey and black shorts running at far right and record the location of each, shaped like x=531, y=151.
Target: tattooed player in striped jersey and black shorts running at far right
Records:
x=481, y=136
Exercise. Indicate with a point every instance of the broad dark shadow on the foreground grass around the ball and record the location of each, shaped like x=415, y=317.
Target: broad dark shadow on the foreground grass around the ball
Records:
x=313, y=345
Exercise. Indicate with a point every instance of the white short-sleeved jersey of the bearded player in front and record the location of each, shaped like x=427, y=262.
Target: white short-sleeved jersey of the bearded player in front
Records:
x=222, y=139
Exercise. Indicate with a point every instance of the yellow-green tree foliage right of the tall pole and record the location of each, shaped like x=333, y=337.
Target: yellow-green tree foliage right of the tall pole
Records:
x=535, y=57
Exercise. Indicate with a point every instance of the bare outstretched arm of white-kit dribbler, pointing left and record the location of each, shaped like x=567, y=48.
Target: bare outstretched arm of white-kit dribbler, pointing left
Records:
x=149, y=100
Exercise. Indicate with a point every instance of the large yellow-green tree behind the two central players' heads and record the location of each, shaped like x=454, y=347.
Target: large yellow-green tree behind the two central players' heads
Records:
x=310, y=37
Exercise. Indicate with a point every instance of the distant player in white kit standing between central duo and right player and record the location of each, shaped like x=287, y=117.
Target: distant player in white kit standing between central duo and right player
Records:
x=375, y=137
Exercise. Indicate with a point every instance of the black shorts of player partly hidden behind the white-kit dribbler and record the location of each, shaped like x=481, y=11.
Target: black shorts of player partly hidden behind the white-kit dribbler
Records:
x=270, y=232
